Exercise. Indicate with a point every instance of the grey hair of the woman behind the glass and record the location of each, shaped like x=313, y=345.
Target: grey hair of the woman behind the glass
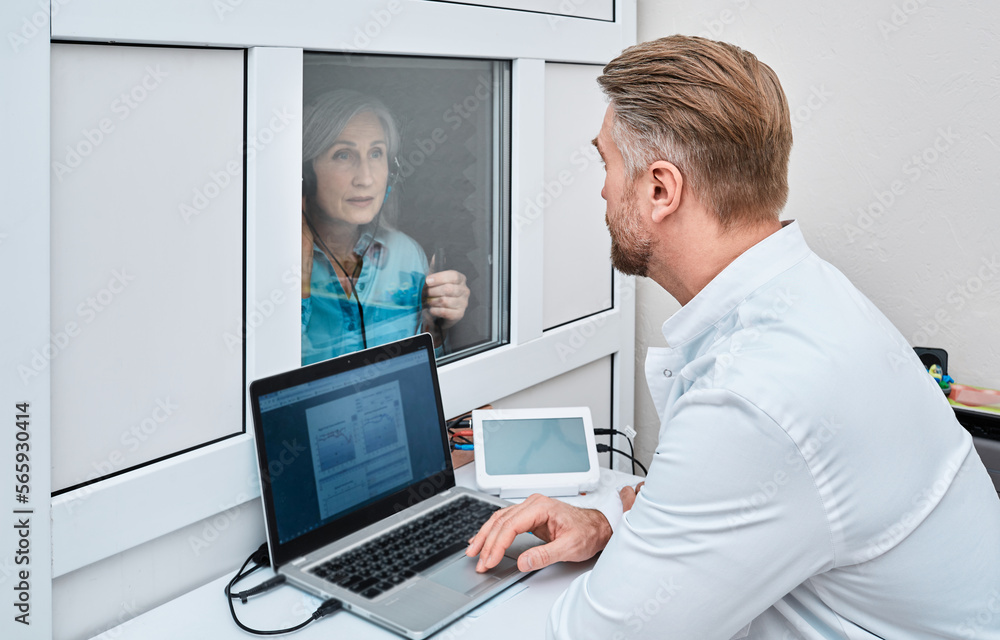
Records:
x=323, y=120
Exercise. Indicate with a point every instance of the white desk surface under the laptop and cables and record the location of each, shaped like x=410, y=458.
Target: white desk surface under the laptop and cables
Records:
x=518, y=612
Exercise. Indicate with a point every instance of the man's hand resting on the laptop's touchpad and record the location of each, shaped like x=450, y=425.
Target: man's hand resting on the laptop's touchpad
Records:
x=572, y=534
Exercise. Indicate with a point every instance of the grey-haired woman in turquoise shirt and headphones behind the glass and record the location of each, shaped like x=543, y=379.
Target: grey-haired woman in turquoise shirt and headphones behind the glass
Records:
x=363, y=282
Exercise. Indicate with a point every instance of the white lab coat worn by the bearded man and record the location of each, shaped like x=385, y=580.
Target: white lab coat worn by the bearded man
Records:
x=810, y=480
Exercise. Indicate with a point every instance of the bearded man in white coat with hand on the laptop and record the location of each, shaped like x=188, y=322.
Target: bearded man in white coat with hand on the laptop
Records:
x=810, y=479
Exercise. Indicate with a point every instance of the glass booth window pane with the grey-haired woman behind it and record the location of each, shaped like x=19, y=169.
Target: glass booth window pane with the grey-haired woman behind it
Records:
x=404, y=203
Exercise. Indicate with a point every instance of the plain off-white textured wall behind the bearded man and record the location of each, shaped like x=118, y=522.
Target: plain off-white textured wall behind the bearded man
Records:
x=895, y=172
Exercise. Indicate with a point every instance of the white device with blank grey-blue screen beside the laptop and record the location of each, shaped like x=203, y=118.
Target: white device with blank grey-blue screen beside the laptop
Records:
x=523, y=451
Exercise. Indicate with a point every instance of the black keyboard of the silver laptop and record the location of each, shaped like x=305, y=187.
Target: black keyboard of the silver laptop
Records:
x=401, y=553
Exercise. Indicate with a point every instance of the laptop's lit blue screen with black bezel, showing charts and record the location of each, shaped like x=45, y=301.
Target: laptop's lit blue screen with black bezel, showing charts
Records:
x=346, y=434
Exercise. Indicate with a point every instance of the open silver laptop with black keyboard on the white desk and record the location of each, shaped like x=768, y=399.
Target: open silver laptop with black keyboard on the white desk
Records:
x=359, y=491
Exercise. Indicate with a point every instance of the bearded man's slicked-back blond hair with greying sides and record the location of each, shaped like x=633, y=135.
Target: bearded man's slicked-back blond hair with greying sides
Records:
x=713, y=110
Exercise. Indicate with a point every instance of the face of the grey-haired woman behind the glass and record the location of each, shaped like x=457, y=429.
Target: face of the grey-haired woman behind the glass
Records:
x=351, y=175
